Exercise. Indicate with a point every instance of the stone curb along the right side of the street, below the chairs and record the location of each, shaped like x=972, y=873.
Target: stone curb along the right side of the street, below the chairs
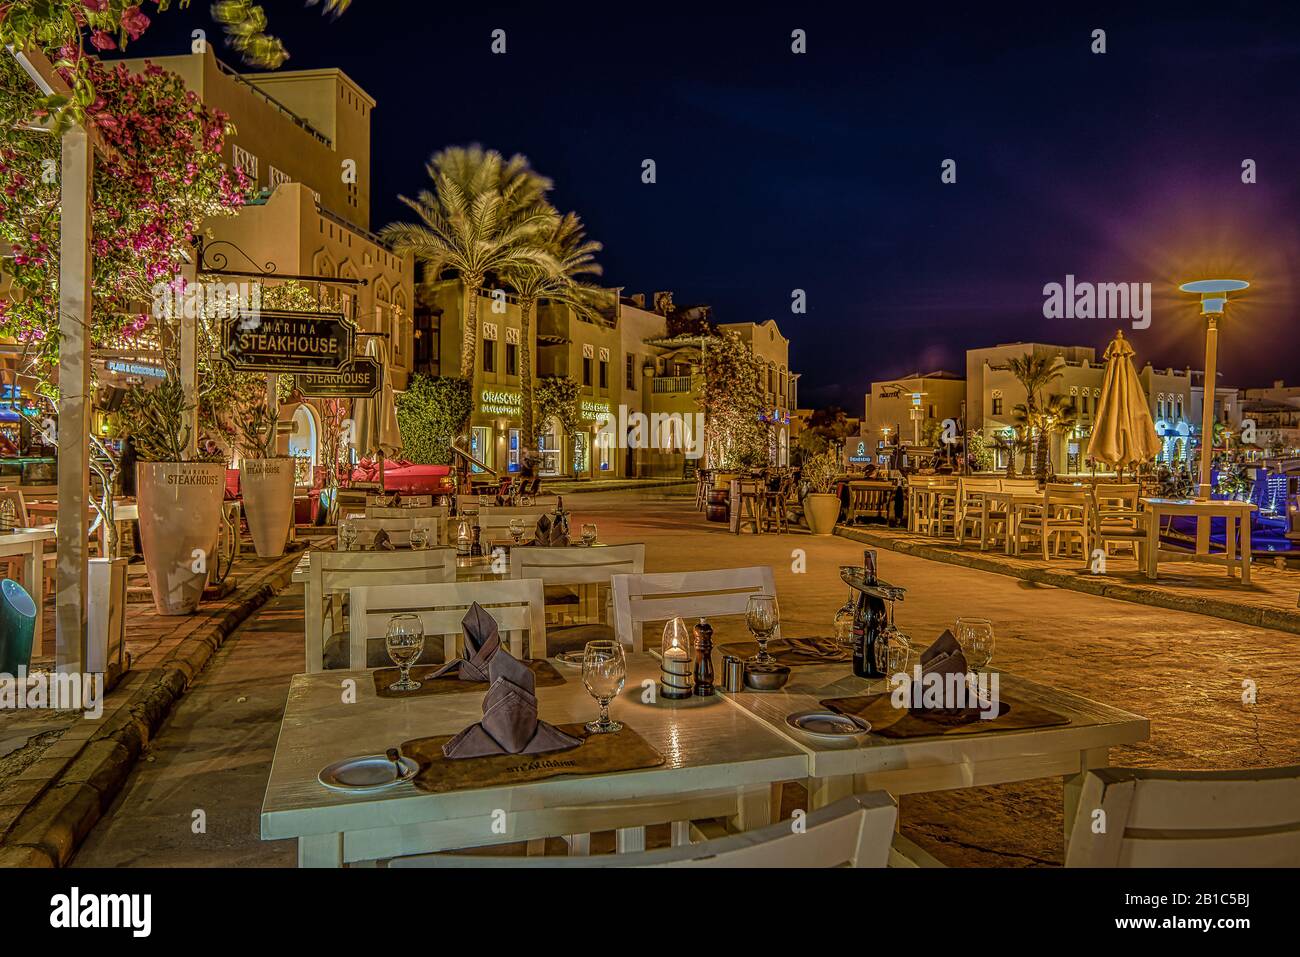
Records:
x=1277, y=620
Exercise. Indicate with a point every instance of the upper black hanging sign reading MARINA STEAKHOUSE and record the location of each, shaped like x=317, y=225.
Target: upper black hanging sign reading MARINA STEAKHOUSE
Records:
x=287, y=341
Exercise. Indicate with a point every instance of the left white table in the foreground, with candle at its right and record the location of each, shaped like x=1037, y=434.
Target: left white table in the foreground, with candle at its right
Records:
x=716, y=756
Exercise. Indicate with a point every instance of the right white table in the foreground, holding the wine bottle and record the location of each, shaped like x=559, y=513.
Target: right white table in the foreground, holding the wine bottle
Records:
x=942, y=763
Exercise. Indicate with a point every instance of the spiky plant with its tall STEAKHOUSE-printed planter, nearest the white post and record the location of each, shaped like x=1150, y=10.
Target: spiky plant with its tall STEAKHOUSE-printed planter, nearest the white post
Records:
x=179, y=497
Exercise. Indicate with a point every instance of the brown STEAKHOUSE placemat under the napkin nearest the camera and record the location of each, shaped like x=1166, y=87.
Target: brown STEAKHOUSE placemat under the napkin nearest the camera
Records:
x=622, y=751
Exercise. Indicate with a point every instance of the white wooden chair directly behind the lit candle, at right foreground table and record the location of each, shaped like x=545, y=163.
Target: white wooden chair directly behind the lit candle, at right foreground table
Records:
x=717, y=594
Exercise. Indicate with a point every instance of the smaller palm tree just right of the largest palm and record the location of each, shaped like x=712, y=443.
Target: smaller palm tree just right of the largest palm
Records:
x=573, y=256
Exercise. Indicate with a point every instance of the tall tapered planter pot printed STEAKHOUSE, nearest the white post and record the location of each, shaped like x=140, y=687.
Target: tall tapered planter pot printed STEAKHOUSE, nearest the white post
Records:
x=180, y=505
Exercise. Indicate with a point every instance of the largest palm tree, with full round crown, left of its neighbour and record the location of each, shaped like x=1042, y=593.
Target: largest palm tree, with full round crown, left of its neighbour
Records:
x=486, y=215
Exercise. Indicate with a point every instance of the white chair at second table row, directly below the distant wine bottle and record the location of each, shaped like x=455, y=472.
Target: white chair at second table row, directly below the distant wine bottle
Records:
x=587, y=570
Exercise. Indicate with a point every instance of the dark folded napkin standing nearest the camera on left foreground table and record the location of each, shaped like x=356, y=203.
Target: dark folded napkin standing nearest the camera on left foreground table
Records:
x=510, y=724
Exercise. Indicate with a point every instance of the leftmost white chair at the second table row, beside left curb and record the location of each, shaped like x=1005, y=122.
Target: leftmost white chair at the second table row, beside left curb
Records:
x=332, y=573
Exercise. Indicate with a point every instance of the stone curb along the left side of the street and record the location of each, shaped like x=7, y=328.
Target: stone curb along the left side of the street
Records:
x=55, y=820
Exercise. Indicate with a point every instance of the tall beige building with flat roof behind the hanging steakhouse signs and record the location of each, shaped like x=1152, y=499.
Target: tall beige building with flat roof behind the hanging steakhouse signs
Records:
x=304, y=138
